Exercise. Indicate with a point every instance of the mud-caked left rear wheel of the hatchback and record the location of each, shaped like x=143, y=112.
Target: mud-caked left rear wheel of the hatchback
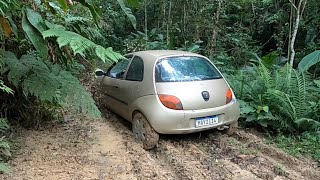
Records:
x=143, y=132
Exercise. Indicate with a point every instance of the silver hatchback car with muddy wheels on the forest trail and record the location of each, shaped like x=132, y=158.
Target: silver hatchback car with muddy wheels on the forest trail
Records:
x=169, y=92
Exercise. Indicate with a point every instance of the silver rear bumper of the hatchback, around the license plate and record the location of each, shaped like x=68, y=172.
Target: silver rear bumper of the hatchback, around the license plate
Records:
x=168, y=121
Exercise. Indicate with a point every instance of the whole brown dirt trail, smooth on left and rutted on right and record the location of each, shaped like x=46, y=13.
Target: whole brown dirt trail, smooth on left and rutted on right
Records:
x=105, y=149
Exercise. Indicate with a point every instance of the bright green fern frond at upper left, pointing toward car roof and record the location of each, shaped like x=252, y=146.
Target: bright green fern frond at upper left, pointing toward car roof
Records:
x=79, y=44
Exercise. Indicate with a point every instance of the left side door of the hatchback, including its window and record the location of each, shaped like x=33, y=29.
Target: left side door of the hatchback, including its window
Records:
x=112, y=84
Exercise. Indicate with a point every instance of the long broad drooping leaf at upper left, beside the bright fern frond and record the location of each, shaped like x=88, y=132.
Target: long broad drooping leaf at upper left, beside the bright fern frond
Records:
x=35, y=37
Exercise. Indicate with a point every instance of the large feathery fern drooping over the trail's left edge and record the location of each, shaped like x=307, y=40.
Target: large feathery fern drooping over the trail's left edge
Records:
x=48, y=82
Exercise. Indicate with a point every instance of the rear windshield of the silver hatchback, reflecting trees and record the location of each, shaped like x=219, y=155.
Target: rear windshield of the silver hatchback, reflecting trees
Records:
x=185, y=68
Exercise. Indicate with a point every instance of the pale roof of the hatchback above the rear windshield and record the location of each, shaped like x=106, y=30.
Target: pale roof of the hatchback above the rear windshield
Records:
x=163, y=53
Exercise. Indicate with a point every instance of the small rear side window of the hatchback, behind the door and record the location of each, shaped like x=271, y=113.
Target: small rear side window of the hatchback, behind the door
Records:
x=135, y=71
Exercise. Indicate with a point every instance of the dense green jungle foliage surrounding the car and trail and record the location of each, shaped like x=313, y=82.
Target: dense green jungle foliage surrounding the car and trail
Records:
x=269, y=51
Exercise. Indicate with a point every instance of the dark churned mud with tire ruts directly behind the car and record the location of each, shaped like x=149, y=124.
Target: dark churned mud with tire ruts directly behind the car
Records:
x=213, y=156
